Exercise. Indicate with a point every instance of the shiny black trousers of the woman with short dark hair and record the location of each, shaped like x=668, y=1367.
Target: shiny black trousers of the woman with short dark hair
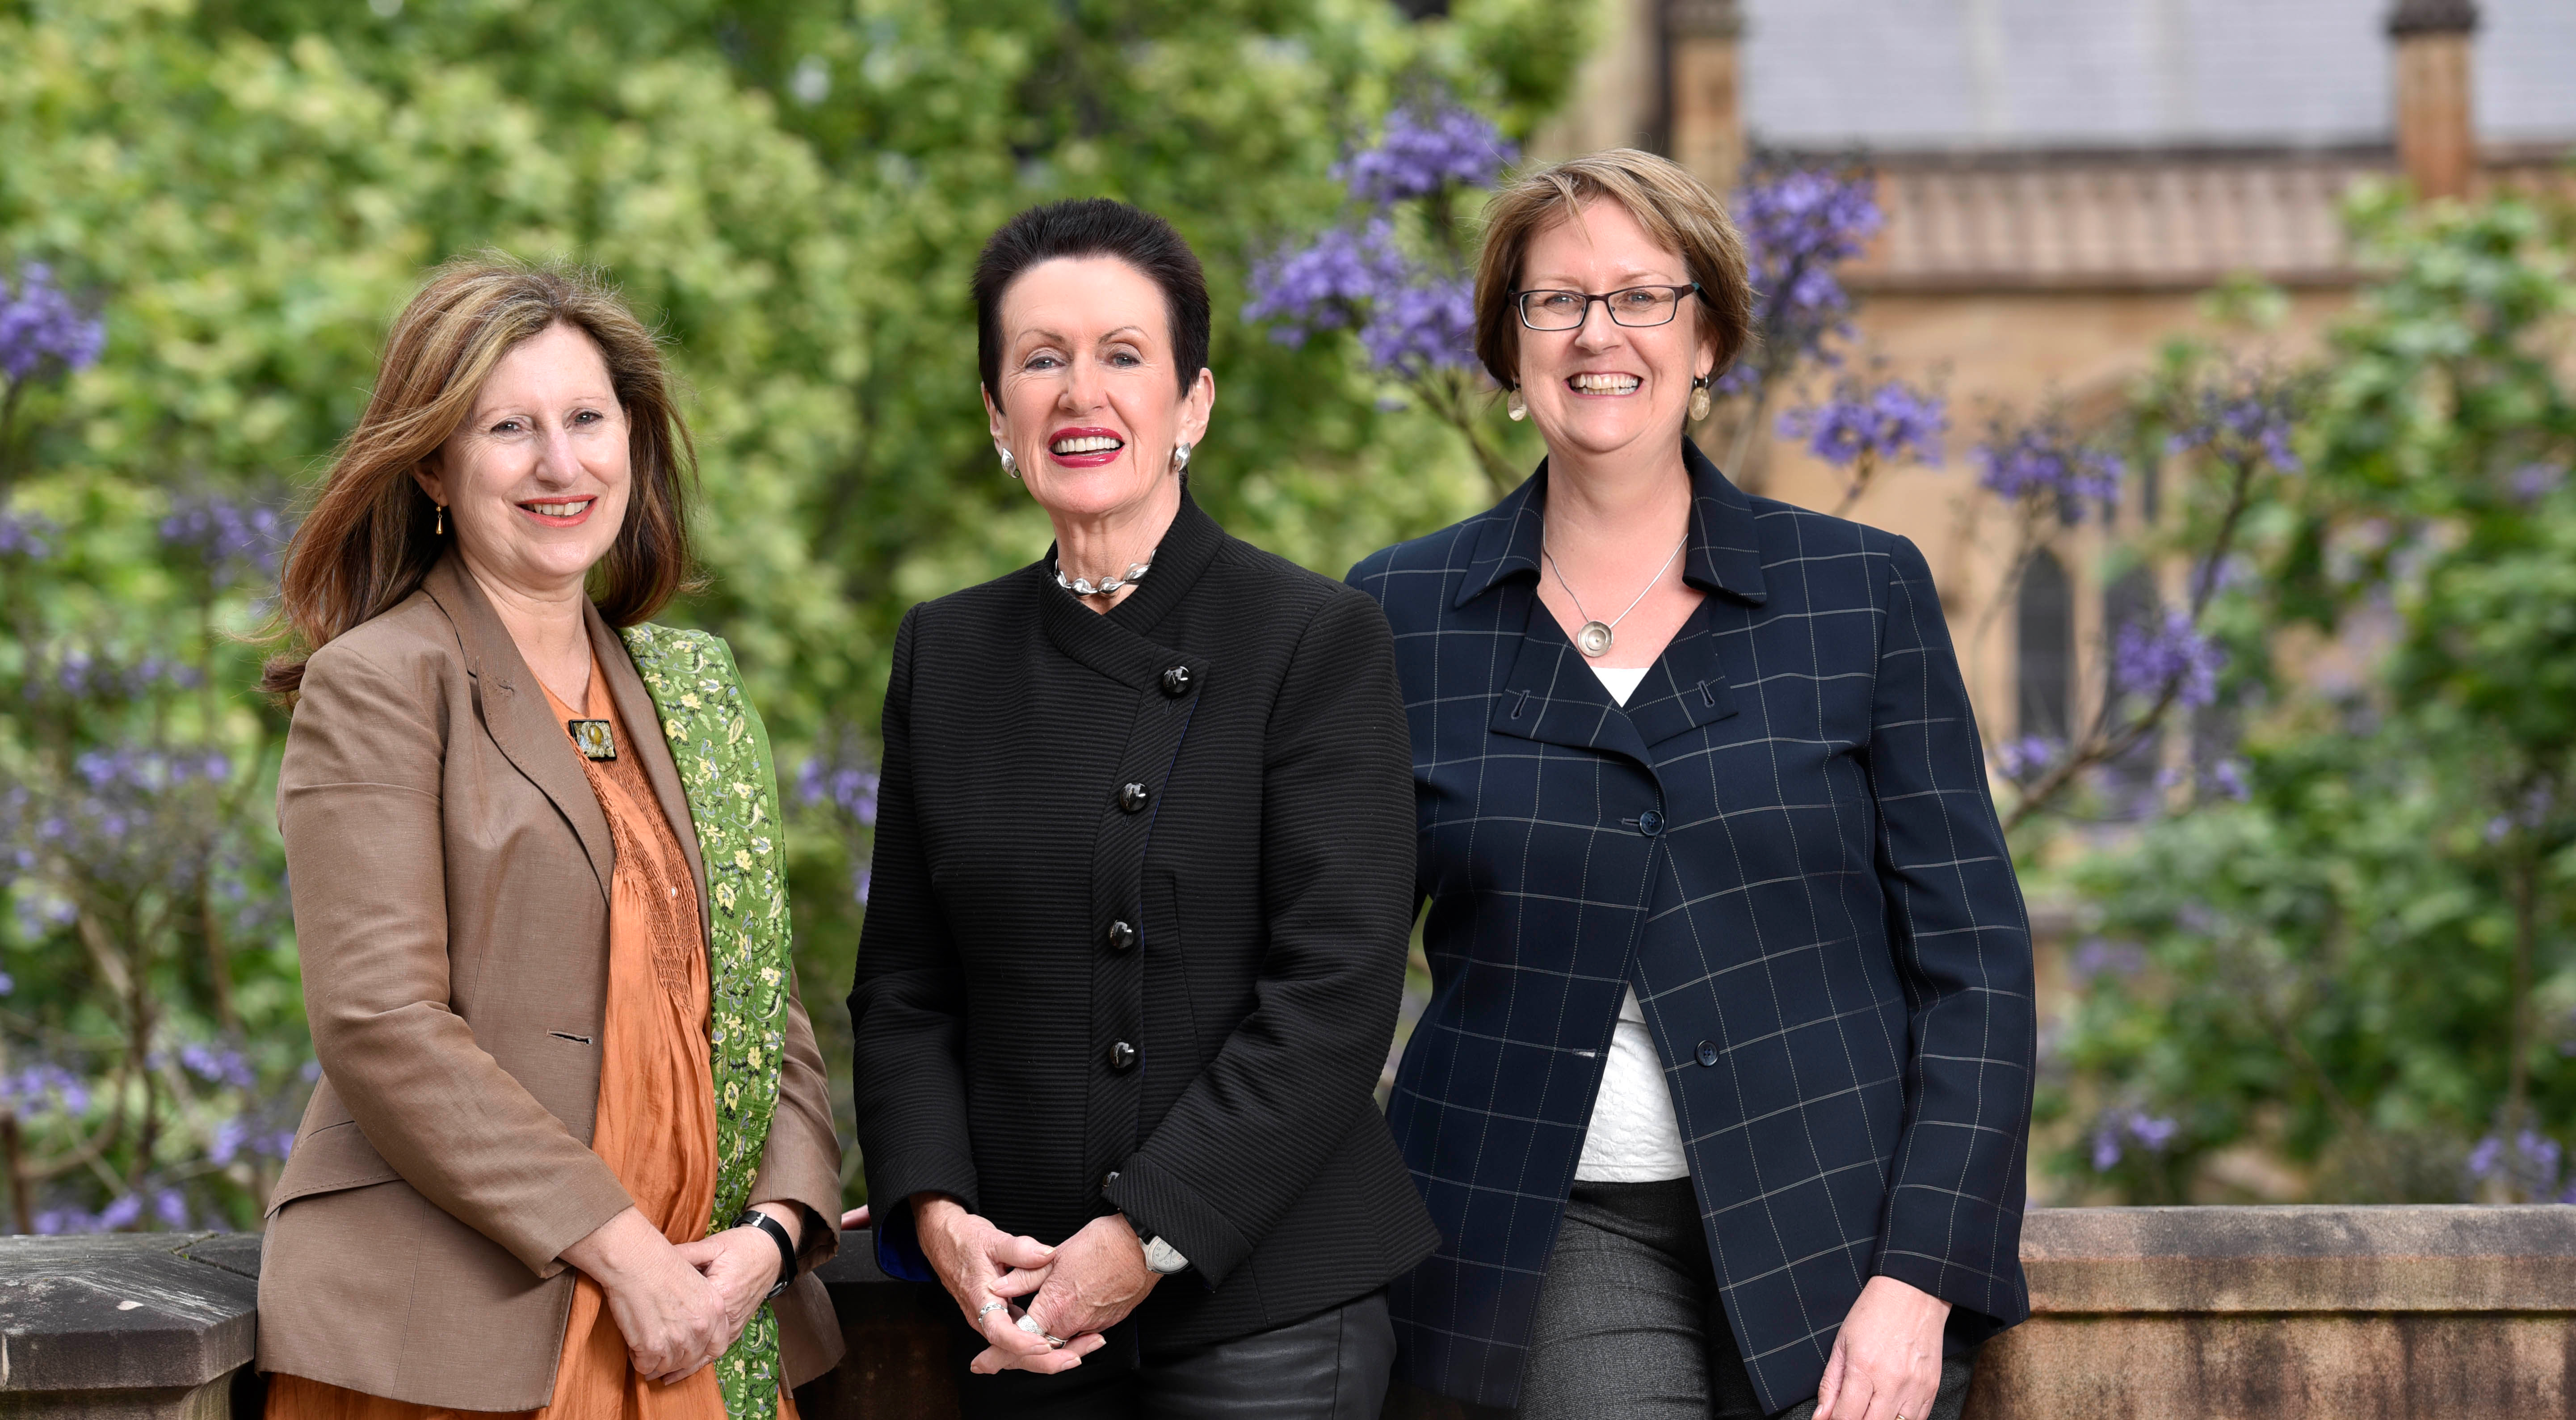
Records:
x=1328, y=1367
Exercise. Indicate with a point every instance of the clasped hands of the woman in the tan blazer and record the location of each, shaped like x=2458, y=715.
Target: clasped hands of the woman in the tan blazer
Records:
x=681, y=1305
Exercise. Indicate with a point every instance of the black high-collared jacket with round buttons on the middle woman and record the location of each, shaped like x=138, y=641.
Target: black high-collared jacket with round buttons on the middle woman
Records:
x=1137, y=929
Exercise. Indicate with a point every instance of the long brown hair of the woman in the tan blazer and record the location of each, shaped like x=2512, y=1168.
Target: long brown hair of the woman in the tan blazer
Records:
x=370, y=537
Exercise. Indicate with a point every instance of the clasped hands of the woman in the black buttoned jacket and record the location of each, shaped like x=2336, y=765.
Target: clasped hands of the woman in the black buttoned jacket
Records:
x=1075, y=1290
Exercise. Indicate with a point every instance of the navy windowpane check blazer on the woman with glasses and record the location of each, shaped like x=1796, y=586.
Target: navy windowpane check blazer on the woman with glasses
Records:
x=1786, y=847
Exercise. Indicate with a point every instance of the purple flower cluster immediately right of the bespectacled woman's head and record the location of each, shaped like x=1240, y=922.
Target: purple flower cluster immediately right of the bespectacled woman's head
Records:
x=1799, y=228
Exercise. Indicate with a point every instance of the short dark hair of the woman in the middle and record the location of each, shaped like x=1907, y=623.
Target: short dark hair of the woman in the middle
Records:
x=1078, y=228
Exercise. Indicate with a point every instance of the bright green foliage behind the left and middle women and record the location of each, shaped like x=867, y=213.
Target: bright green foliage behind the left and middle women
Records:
x=795, y=192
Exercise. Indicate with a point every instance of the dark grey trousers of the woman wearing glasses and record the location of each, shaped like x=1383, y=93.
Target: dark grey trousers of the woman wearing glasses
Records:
x=1629, y=1321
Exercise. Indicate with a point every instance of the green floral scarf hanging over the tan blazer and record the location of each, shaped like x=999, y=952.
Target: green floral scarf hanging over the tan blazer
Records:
x=733, y=798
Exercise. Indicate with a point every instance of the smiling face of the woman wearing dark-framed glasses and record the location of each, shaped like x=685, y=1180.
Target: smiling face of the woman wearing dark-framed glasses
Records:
x=1609, y=388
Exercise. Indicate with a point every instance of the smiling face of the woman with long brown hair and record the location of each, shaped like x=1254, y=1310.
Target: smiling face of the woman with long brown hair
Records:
x=537, y=478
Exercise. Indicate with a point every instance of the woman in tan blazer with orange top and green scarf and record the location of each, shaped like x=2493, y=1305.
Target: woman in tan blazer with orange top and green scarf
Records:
x=571, y=1138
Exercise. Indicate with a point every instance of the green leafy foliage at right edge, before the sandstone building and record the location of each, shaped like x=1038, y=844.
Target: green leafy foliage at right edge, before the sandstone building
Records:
x=2366, y=965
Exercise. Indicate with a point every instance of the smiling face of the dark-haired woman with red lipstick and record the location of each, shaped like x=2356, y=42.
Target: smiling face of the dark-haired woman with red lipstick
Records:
x=1091, y=403
